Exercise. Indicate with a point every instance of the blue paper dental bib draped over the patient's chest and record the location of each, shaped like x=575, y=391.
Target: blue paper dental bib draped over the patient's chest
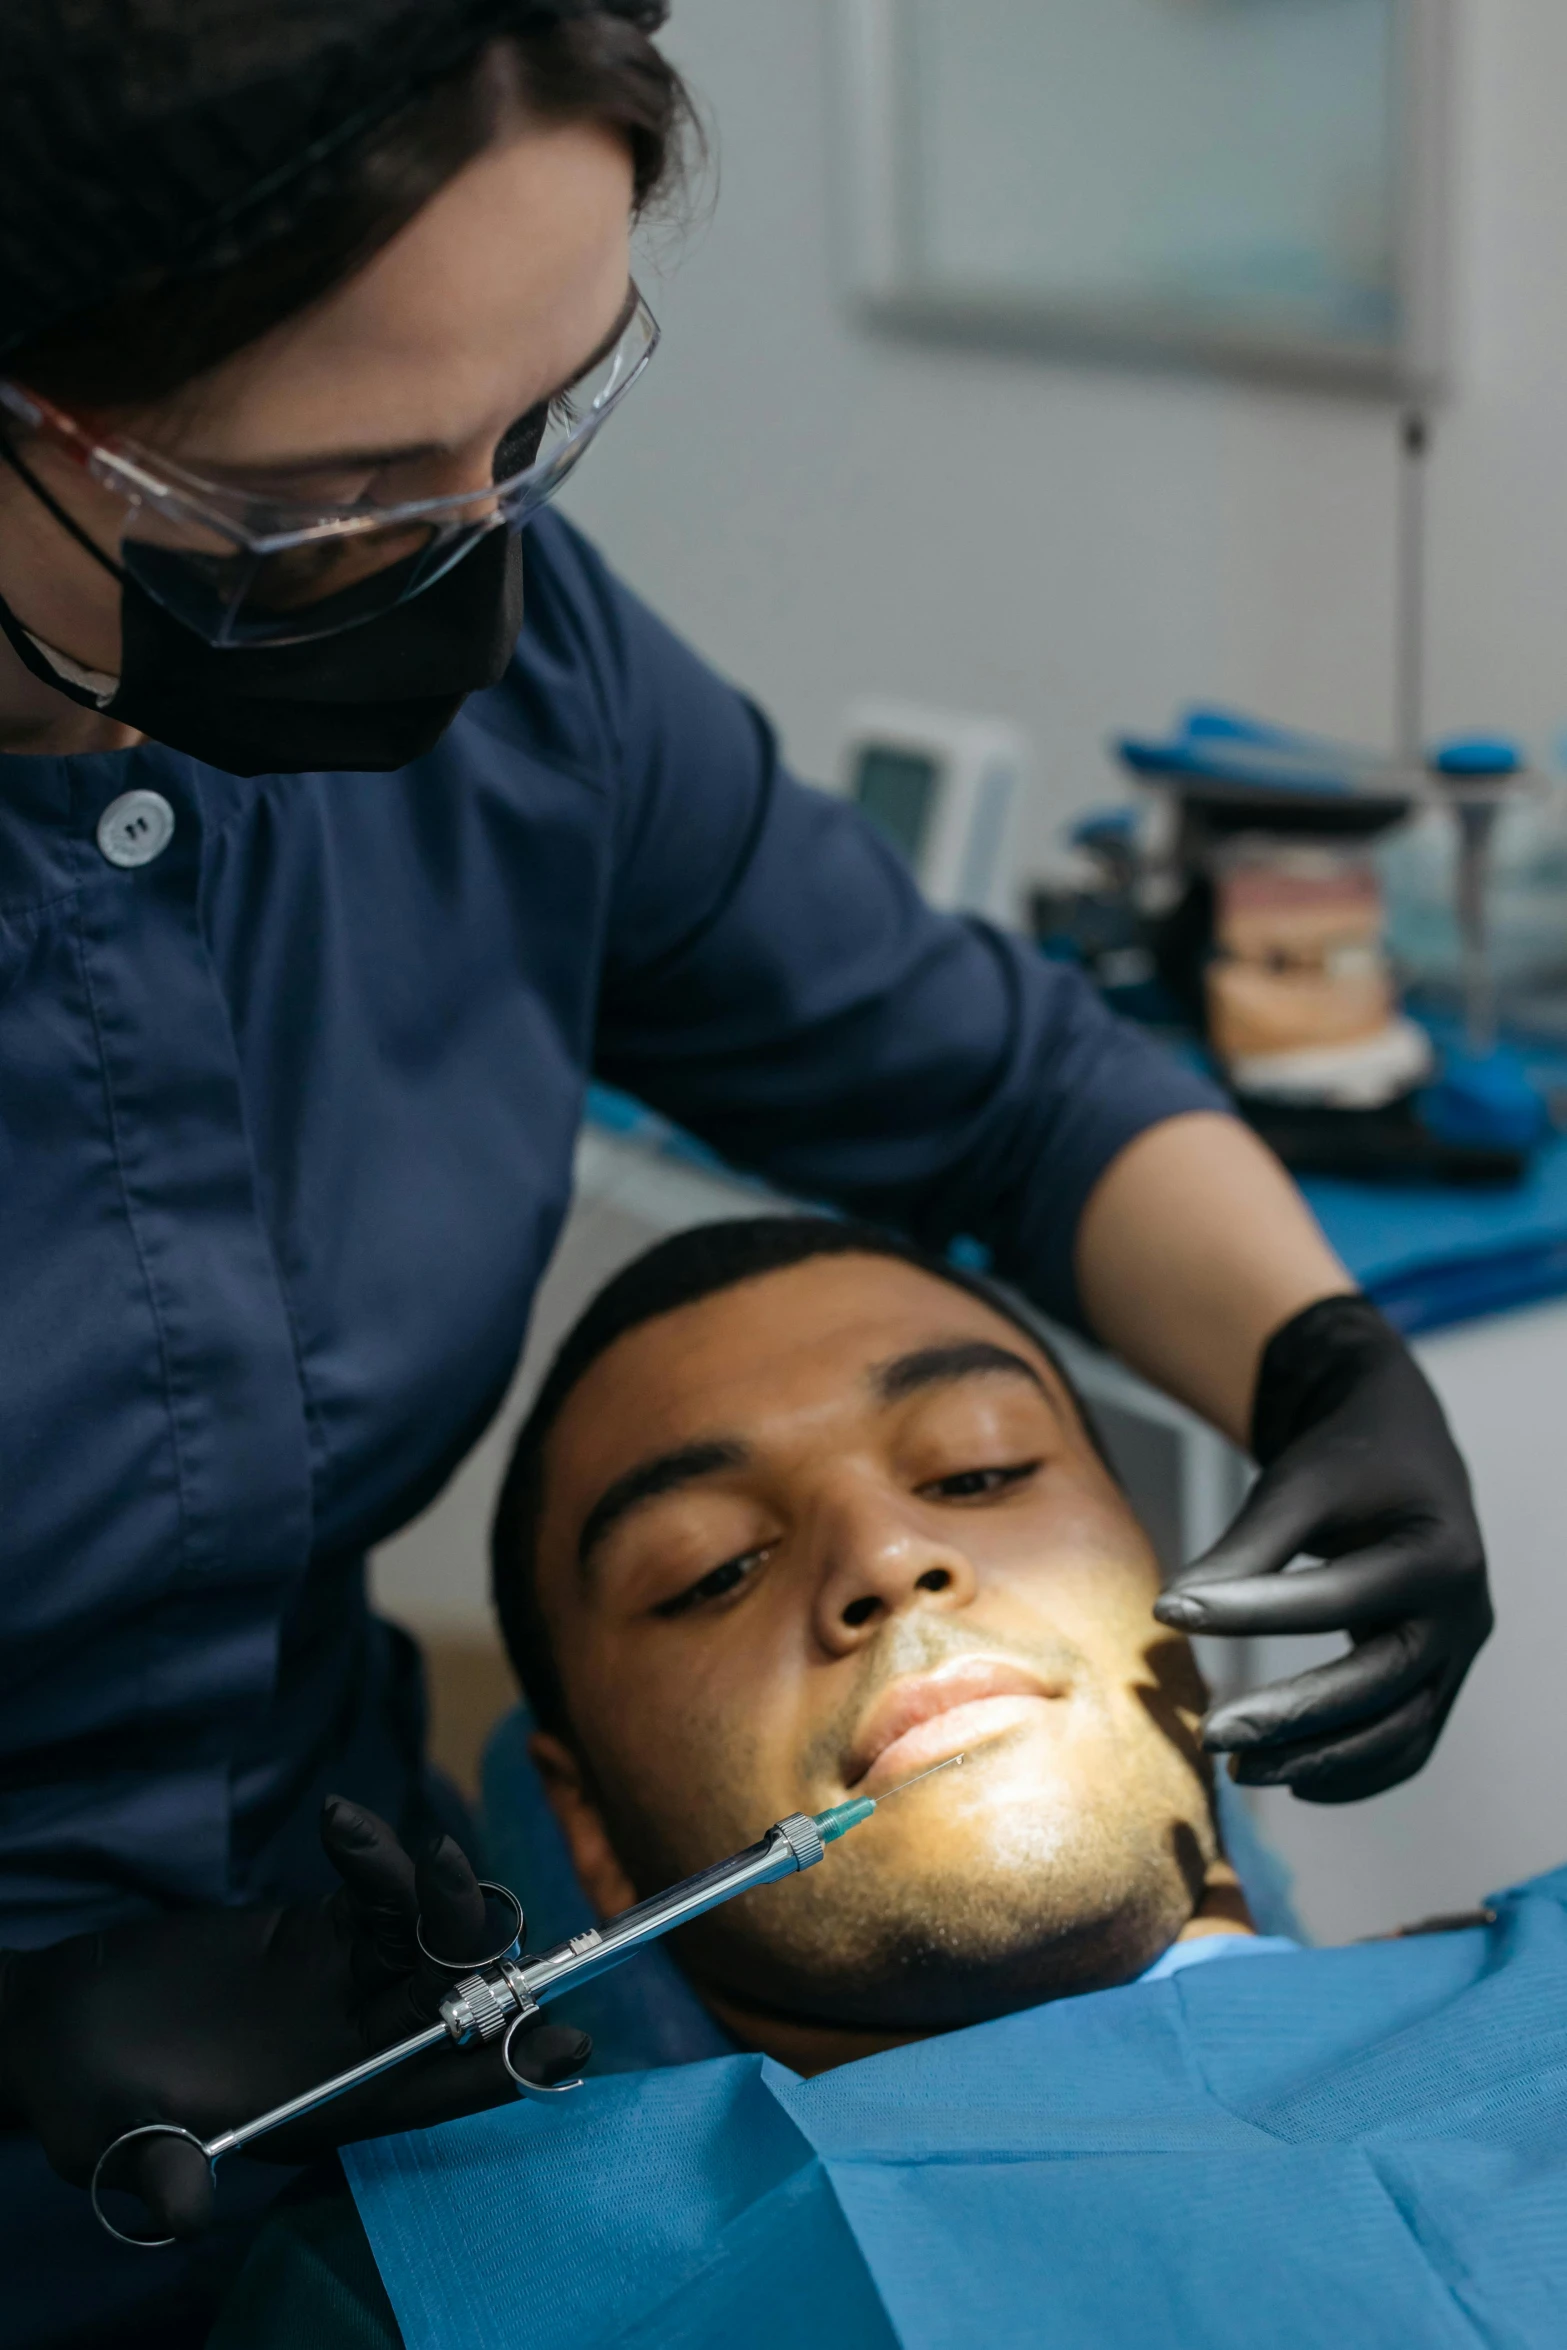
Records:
x=1350, y=2149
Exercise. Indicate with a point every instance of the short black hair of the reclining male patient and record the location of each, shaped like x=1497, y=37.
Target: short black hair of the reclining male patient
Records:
x=678, y=1273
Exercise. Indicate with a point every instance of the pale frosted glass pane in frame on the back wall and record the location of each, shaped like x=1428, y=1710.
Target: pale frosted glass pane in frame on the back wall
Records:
x=1228, y=177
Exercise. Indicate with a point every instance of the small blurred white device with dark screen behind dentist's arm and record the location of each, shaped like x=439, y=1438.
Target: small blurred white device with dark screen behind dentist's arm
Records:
x=948, y=793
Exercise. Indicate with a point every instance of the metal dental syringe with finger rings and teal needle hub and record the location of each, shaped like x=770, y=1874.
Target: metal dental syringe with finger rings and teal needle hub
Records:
x=504, y=1994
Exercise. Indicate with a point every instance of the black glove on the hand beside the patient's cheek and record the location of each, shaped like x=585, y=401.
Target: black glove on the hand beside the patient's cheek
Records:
x=1357, y=1470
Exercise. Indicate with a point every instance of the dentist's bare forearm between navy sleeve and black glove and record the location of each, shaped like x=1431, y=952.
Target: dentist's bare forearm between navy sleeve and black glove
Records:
x=1192, y=1254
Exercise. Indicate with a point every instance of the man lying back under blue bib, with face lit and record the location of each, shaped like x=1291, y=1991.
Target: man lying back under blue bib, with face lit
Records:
x=795, y=1519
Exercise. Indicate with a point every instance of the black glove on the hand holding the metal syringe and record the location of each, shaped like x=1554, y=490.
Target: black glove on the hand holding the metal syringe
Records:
x=213, y=2017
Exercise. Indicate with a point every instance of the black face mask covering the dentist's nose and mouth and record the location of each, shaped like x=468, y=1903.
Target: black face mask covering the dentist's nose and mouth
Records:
x=372, y=697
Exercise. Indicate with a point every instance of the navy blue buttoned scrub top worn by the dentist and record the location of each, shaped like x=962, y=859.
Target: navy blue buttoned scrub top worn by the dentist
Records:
x=285, y=1143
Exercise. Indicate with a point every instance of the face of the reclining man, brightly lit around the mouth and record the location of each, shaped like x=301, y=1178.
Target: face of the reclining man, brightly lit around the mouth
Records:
x=802, y=1543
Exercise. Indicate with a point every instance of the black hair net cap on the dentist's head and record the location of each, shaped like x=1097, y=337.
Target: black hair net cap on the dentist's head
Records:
x=154, y=140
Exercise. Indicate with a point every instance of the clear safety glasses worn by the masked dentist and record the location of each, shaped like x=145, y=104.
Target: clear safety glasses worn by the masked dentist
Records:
x=276, y=565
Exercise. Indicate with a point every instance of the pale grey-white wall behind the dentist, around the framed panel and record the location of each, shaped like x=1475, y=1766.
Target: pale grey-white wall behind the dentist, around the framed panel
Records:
x=828, y=511
